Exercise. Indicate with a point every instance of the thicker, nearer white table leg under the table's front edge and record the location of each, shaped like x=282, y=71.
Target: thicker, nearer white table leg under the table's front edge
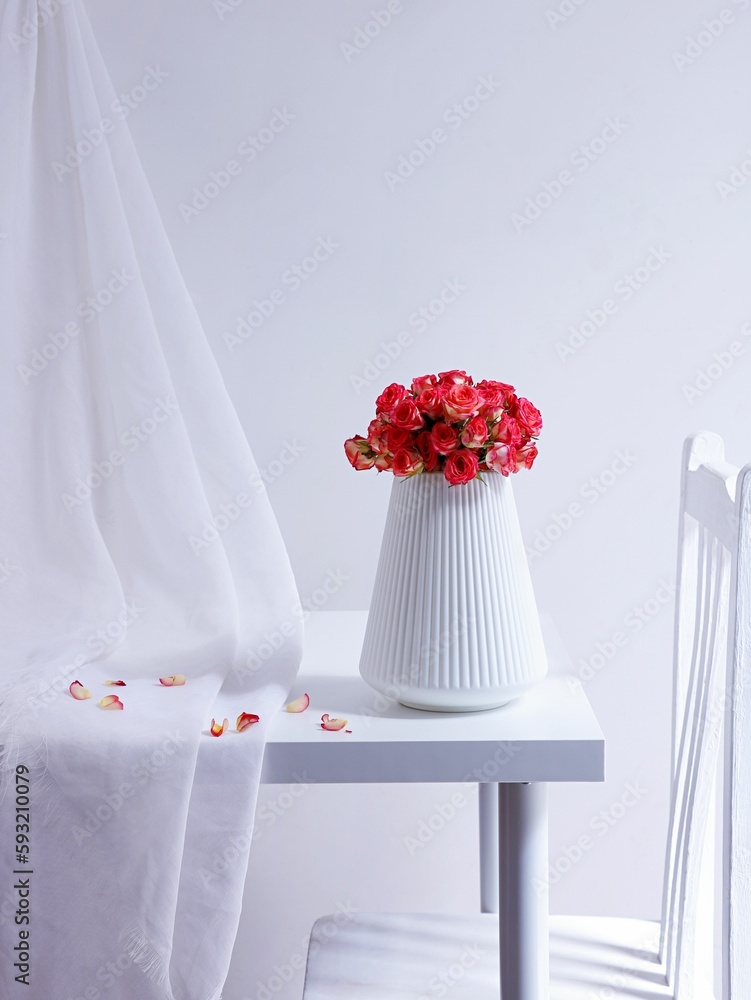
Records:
x=523, y=912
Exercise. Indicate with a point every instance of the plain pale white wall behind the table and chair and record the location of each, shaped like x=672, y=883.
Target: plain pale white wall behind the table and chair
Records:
x=654, y=186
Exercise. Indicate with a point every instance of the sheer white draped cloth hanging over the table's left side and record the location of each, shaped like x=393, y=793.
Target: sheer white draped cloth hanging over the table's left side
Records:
x=136, y=541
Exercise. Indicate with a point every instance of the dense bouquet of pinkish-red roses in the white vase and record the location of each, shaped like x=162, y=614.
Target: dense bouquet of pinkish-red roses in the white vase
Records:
x=446, y=423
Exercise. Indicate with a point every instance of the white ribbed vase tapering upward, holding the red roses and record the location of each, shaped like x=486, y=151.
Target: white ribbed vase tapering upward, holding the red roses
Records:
x=453, y=623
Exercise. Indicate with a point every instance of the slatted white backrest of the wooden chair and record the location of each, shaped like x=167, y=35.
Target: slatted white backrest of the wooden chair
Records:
x=709, y=612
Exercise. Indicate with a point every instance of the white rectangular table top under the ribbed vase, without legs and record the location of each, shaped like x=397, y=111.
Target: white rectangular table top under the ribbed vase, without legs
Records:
x=550, y=734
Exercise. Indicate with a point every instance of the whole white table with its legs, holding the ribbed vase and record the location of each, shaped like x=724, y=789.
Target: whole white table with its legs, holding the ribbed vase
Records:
x=549, y=735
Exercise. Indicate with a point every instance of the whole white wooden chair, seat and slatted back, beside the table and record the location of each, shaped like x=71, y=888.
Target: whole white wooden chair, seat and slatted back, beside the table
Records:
x=383, y=956
